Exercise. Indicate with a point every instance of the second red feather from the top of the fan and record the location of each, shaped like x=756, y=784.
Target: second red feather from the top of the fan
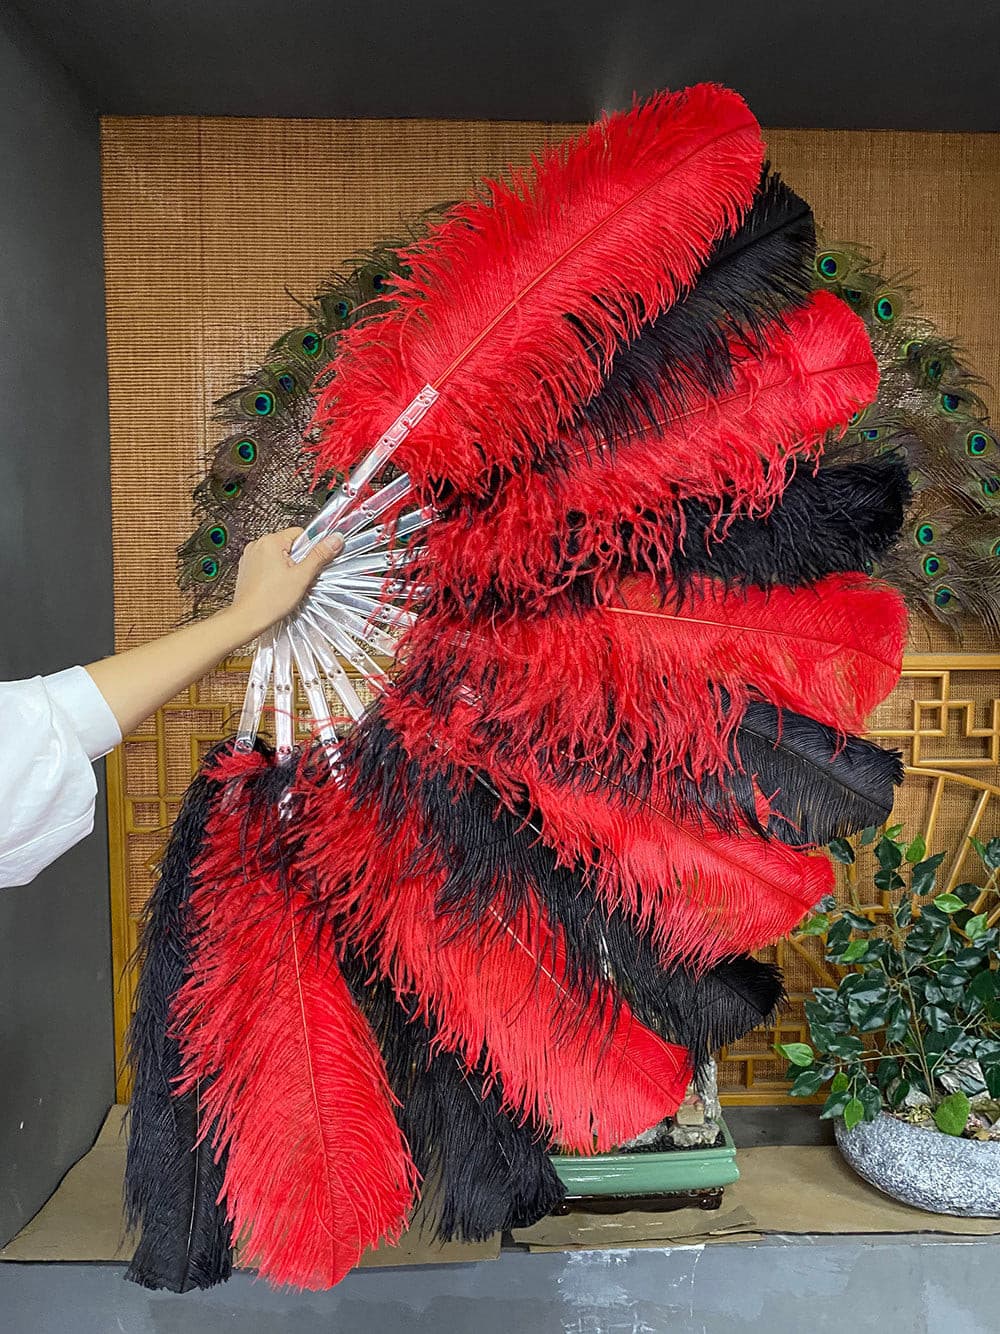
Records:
x=727, y=449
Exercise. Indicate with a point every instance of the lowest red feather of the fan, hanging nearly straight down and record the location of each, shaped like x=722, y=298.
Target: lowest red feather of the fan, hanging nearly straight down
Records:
x=318, y=1169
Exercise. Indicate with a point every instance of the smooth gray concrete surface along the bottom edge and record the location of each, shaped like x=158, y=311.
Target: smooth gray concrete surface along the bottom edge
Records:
x=831, y=1285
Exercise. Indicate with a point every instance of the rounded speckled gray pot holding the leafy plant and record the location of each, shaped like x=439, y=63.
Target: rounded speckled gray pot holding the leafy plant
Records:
x=923, y=1168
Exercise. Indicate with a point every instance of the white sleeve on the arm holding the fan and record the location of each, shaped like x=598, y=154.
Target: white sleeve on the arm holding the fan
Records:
x=51, y=729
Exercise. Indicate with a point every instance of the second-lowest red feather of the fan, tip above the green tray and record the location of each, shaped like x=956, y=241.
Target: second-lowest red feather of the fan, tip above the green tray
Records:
x=499, y=992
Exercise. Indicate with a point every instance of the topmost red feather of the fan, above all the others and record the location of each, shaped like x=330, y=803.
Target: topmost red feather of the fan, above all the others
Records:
x=602, y=234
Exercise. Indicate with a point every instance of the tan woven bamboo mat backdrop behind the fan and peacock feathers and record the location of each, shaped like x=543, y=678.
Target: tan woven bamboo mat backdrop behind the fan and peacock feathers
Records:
x=211, y=225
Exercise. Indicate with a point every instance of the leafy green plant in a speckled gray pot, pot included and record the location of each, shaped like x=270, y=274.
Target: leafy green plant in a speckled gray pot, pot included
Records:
x=909, y=1043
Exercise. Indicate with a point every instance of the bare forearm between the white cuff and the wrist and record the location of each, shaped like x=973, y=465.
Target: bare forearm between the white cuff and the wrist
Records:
x=139, y=681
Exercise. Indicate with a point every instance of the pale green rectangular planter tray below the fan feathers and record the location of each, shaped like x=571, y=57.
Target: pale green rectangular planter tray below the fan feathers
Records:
x=650, y=1175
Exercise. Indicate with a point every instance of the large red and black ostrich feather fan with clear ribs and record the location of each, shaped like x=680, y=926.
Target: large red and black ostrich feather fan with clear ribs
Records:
x=455, y=928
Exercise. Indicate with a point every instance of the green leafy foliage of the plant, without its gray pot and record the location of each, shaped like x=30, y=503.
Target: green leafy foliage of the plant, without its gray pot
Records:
x=919, y=990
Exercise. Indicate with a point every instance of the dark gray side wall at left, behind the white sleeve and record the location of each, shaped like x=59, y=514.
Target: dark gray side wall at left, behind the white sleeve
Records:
x=57, y=1055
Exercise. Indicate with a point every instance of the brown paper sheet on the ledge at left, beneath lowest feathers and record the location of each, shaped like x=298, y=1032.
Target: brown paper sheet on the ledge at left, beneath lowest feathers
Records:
x=83, y=1219
